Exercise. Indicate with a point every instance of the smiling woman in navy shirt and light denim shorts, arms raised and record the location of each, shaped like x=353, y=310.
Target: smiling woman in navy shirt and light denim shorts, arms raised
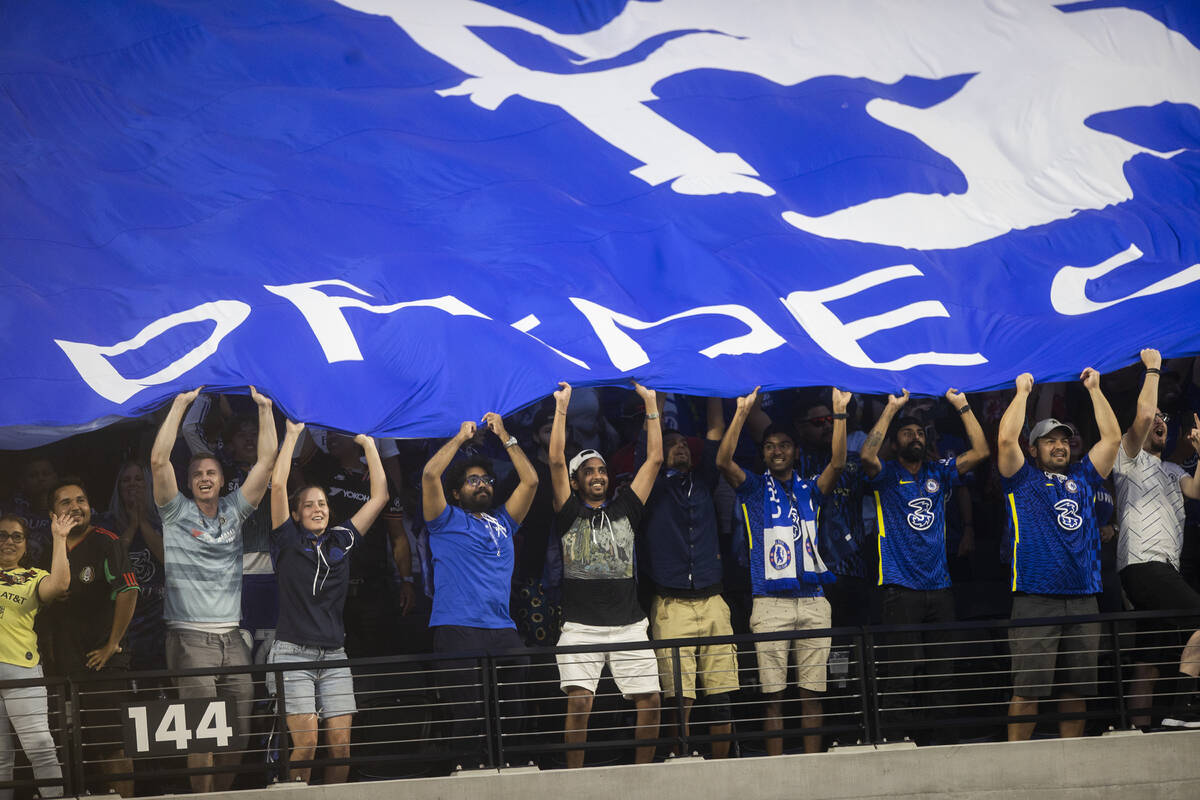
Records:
x=313, y=566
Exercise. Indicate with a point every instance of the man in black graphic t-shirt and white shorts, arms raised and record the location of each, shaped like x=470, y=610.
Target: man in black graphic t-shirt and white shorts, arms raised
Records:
x=599, y=586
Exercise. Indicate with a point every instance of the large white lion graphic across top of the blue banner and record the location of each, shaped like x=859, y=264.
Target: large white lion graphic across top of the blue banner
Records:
x=1016, y=129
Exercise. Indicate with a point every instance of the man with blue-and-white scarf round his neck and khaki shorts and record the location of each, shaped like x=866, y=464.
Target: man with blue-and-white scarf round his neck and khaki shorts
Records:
x=779, y=510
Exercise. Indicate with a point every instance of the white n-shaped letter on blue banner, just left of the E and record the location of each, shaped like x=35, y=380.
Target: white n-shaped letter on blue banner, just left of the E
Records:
x=627, y=354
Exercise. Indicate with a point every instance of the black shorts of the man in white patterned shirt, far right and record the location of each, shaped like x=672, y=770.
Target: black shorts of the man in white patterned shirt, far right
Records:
x=1157, y=586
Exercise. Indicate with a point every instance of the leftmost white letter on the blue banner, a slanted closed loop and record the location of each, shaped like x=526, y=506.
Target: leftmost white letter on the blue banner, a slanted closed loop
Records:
x=92, y=360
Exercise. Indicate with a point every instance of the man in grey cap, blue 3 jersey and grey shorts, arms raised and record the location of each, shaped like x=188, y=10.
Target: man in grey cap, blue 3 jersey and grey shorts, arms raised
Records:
x=1057, y=555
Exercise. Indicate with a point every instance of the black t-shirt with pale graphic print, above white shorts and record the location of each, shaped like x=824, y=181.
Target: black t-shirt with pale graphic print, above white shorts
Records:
x=599, y=585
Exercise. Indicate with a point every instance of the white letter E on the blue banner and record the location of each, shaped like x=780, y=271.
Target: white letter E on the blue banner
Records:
x=841, y=340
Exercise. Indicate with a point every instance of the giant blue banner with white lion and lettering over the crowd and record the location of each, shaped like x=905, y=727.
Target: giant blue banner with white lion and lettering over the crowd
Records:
x=393, y=216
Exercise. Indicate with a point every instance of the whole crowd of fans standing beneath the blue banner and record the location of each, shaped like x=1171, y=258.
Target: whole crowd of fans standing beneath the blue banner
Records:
x=617, y=516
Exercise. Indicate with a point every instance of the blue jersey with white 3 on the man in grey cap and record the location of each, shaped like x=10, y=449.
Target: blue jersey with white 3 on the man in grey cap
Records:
x=1057, y=543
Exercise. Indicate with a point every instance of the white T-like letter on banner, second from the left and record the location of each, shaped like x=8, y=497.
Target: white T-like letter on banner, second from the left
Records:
x=325, y=314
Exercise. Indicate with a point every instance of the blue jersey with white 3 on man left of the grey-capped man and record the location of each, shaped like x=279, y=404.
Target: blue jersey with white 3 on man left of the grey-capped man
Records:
x=911, y=514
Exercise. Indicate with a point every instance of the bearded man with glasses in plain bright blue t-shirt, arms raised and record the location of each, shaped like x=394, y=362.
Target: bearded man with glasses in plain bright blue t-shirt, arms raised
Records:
x=473, y=556
